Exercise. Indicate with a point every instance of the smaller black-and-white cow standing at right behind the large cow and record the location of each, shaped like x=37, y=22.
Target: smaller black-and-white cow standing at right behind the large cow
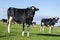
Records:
x=48, y=22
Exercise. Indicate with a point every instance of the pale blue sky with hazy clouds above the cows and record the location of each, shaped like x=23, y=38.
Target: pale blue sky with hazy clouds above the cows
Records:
x=47, y=8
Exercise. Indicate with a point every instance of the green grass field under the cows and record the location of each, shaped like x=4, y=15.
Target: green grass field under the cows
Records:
x=35, y=34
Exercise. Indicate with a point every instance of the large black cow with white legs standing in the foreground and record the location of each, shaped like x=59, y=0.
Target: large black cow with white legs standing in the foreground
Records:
x=21, y=16
